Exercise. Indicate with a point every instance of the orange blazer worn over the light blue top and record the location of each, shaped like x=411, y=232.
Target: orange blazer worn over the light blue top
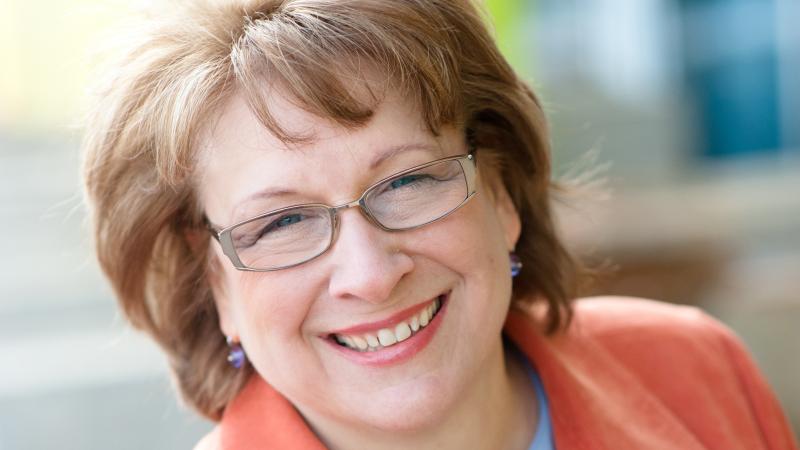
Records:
x=627, y=374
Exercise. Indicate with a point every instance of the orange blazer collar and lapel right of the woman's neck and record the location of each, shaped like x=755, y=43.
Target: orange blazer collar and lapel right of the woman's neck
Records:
x=595, y=403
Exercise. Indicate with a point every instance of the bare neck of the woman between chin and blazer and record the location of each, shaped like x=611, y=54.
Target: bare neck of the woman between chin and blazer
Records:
x=498, y=410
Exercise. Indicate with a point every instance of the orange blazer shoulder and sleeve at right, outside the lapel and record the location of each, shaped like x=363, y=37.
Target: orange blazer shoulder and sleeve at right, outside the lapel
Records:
x=674, y=349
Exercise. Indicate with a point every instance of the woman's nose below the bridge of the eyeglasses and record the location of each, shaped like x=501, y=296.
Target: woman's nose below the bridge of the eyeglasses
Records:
x=365, y=263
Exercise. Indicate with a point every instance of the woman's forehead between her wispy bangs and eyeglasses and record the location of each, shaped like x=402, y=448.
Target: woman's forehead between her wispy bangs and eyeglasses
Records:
x=239, y=157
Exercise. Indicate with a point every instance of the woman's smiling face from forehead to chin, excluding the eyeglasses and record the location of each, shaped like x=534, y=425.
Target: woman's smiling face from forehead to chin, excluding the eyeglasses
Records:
x=369, y=279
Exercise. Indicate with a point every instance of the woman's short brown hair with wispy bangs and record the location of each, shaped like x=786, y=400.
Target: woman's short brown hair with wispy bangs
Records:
x=141, y=142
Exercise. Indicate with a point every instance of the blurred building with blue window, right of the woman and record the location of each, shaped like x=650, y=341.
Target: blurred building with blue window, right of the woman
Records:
x=692, y=107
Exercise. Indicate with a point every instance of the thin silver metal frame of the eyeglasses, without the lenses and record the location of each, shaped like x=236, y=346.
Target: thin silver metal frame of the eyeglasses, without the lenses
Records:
x=225, y=239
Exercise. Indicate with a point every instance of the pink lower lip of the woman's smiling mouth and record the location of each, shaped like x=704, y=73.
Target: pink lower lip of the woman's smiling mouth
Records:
x=401, y=351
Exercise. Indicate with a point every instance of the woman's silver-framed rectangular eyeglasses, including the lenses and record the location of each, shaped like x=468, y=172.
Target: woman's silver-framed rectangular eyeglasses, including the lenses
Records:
x=297, y=234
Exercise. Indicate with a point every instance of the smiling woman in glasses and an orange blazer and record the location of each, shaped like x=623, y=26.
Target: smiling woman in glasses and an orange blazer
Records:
x=316, y=208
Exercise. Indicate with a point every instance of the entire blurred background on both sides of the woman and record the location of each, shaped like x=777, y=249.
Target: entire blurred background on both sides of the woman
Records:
x=686, y=110
